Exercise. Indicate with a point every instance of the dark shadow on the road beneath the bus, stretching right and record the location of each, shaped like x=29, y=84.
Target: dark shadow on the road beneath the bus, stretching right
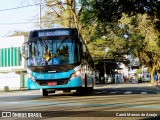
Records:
x=110, y=91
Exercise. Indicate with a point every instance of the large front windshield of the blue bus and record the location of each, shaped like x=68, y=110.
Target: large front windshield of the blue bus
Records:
x=53, y=52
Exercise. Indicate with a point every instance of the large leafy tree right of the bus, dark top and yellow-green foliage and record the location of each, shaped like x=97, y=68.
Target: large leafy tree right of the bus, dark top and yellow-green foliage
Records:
x=132, y=27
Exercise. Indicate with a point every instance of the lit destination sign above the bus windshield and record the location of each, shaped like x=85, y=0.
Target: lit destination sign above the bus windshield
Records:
x=53, y=33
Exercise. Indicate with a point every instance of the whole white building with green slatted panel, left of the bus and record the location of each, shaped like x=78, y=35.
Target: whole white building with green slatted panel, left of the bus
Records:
x=12, y=64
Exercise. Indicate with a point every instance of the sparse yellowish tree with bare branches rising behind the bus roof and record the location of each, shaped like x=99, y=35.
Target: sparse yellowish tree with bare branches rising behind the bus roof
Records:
x=71, y=13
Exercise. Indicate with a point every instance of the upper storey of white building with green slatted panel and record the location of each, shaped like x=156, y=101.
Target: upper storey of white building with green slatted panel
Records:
x=10, y=54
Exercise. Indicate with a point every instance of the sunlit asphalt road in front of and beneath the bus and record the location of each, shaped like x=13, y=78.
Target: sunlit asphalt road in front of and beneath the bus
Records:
x=108, y=101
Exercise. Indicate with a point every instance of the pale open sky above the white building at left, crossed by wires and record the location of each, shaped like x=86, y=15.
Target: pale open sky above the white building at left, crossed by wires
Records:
x=10, y=20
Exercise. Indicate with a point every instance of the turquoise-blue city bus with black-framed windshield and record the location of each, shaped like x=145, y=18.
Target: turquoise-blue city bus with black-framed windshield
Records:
x=58, y=59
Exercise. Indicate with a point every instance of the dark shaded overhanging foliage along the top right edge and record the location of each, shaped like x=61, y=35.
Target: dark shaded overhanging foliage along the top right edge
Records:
x=112, y=10
